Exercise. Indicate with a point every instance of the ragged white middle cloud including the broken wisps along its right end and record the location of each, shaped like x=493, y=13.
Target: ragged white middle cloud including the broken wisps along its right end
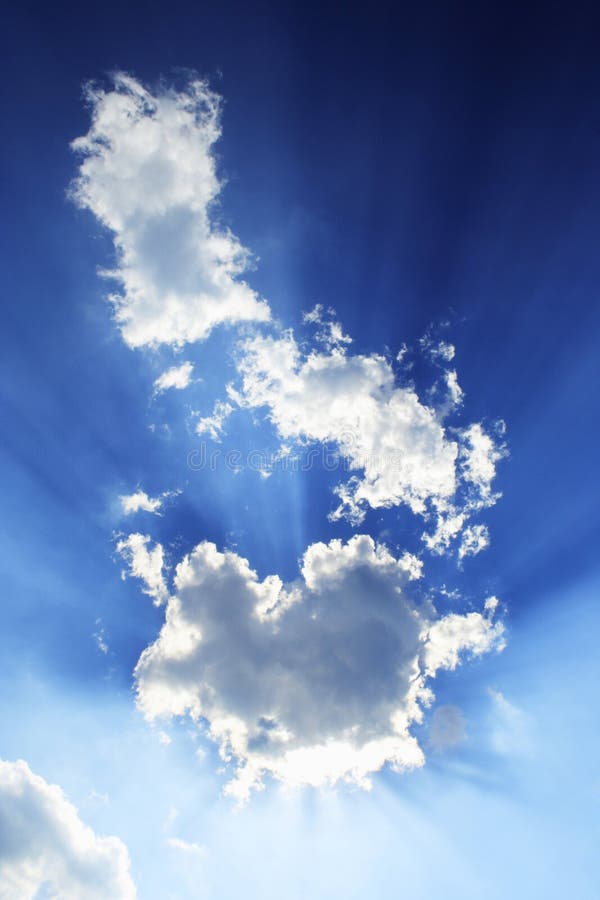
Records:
x=400, y=448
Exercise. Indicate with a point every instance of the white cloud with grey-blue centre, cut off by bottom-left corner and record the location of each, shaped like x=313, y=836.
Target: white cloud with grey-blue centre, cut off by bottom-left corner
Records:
x=46, y=848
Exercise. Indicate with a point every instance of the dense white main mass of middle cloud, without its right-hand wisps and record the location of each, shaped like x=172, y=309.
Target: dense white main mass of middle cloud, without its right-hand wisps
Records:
x=351, y=401
